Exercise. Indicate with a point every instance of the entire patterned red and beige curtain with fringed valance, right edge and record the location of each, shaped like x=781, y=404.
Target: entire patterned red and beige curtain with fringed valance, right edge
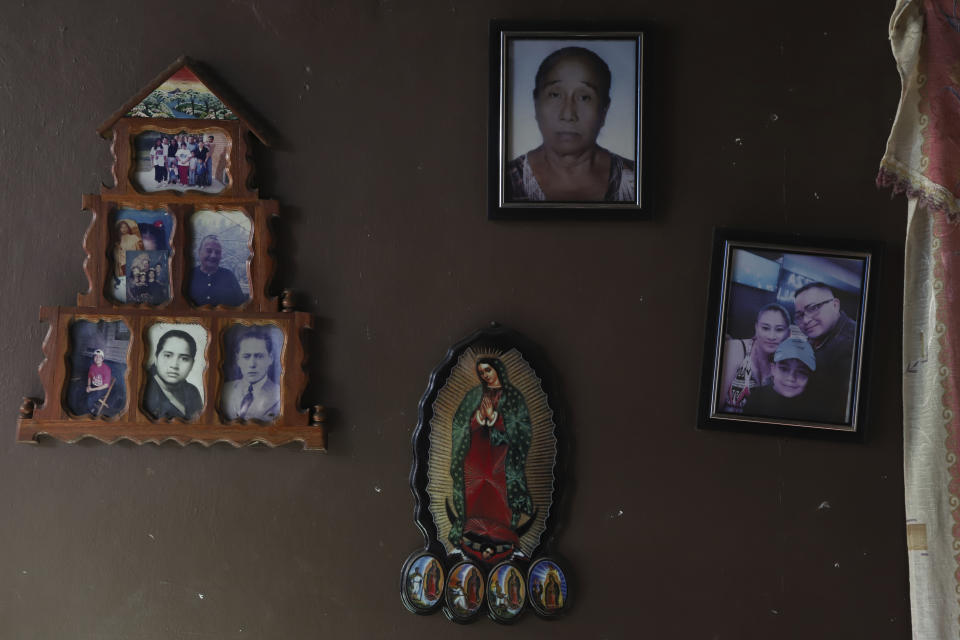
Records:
x=922, y=160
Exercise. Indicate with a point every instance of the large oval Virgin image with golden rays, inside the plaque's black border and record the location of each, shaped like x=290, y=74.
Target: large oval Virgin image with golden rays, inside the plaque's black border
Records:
x=490, y=419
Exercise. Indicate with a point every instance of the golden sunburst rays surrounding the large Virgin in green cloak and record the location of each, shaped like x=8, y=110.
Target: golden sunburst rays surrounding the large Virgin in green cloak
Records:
x=540, y=458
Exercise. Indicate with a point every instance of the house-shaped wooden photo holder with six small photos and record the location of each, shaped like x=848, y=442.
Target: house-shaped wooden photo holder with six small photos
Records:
x=177, y=337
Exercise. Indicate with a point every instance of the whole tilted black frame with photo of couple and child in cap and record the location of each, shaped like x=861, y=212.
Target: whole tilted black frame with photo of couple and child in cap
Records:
x=787, y=334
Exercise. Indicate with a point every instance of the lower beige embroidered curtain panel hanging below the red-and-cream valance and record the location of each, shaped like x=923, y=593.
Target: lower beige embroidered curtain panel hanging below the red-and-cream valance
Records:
x=930, y=497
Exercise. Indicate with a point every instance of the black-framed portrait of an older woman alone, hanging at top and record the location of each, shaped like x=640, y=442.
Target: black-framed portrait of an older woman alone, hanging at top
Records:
x=566, y=122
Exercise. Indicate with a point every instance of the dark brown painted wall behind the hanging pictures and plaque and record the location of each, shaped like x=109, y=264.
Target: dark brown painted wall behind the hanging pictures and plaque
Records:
x=673, y=533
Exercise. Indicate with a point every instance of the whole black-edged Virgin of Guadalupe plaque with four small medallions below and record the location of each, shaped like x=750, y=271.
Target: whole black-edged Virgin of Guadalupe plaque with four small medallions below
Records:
x=485, y=454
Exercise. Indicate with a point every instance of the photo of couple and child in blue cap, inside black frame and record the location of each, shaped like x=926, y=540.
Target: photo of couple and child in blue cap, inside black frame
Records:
x=789, y=336
